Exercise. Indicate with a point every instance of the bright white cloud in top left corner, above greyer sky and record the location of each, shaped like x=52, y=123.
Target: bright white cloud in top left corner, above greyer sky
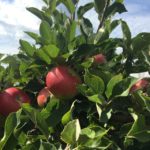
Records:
x=16, y=14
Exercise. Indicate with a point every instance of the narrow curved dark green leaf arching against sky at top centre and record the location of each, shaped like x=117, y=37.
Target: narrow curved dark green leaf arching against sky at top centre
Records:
x=83, y=9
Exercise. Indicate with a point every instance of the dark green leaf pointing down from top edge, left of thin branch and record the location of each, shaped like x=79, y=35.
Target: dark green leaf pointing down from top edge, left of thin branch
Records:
x=99, y=5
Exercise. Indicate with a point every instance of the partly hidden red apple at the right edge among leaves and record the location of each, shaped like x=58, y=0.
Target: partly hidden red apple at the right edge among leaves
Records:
x=139, y=85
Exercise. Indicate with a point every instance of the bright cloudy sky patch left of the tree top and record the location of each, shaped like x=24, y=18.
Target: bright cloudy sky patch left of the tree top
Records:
x=14, y=20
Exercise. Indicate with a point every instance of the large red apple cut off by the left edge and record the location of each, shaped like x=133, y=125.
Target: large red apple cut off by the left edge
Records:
x=10, y=99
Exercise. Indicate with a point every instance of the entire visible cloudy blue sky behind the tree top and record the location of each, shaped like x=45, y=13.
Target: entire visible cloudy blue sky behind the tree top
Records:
x=14, y=19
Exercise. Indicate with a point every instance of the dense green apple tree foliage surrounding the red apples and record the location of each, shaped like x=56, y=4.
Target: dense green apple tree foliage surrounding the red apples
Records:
x=105, y=113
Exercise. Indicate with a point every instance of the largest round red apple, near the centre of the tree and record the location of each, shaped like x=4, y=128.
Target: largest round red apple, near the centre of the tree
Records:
x=62, y=82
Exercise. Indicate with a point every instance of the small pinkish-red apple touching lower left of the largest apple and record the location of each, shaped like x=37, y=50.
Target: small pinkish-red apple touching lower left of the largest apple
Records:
x=43, y=96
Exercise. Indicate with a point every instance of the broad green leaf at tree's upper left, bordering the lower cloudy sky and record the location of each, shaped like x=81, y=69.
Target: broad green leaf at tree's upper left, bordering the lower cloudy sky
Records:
x=27, y=48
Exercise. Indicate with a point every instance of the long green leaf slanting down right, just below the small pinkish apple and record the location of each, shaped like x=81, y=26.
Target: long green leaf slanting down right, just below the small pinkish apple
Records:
x=36, y=118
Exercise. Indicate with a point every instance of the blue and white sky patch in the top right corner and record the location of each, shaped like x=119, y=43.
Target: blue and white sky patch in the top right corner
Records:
x=138, y=15
